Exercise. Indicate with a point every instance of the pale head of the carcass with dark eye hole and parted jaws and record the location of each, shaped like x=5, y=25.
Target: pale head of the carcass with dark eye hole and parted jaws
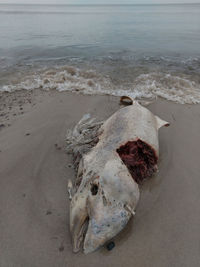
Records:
x=102, y=205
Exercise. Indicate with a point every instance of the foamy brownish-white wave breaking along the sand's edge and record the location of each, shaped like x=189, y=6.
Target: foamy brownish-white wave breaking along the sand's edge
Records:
x=152, y=85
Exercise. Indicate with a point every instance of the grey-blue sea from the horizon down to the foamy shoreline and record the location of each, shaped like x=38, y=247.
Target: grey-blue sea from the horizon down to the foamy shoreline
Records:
x=144, y=51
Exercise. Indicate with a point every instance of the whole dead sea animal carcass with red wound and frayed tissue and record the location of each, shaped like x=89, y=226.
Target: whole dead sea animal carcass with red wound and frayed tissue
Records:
x=111, y=158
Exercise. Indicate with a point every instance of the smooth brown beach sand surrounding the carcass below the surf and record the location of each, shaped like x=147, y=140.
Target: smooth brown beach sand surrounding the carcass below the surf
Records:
x=34, y=169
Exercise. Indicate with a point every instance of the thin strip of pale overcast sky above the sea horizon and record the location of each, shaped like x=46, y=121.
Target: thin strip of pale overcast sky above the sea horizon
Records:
x=99, y=1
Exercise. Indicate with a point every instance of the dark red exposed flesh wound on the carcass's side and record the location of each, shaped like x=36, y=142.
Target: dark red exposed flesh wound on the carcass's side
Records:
x=140, y=158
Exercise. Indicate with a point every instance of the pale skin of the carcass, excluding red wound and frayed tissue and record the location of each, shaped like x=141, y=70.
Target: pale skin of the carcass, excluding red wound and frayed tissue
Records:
x=108, y=195
